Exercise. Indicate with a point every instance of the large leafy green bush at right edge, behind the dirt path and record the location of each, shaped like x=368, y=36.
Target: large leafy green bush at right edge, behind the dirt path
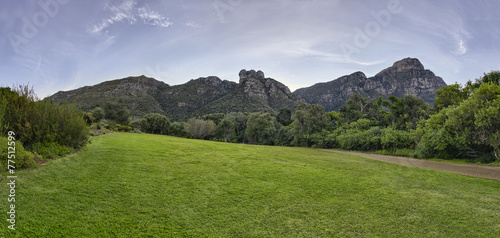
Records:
x=468, y=130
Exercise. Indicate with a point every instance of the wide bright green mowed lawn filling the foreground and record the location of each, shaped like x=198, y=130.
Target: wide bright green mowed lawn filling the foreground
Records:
x=131, y=185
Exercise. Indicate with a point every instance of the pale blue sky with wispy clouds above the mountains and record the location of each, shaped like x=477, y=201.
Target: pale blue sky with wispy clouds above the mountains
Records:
x=55, y=45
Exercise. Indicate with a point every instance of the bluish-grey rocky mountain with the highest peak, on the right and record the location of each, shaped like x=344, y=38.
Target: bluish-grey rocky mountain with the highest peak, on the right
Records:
x=405, y=77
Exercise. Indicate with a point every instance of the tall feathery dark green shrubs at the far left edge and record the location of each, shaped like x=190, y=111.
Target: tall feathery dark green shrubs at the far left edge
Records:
x=43, y=121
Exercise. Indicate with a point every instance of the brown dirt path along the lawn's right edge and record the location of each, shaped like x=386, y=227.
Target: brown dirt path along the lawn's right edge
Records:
x=464, y=169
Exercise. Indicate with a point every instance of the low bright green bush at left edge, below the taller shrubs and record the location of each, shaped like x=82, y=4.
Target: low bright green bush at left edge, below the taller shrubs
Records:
x=23, y=159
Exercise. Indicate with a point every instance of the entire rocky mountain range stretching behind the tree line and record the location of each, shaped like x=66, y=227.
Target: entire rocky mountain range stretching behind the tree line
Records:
x=253, y=93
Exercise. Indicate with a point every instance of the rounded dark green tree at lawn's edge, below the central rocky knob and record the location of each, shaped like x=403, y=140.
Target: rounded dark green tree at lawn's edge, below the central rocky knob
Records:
x=261, y=128
